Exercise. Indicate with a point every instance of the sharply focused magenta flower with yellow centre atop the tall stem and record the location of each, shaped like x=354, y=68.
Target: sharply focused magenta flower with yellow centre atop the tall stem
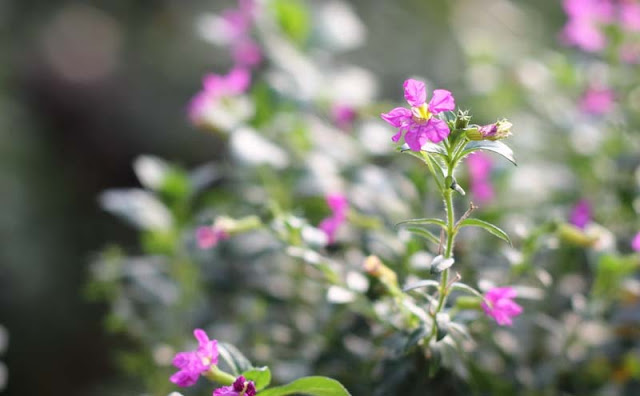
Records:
x=418, y=124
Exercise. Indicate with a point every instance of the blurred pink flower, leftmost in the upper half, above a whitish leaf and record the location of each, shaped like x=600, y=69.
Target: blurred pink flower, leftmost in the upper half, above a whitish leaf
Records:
x=215, y=88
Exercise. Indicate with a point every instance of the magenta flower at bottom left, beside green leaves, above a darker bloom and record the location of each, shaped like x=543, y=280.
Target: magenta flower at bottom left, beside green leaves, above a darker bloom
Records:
x=194, y=363
